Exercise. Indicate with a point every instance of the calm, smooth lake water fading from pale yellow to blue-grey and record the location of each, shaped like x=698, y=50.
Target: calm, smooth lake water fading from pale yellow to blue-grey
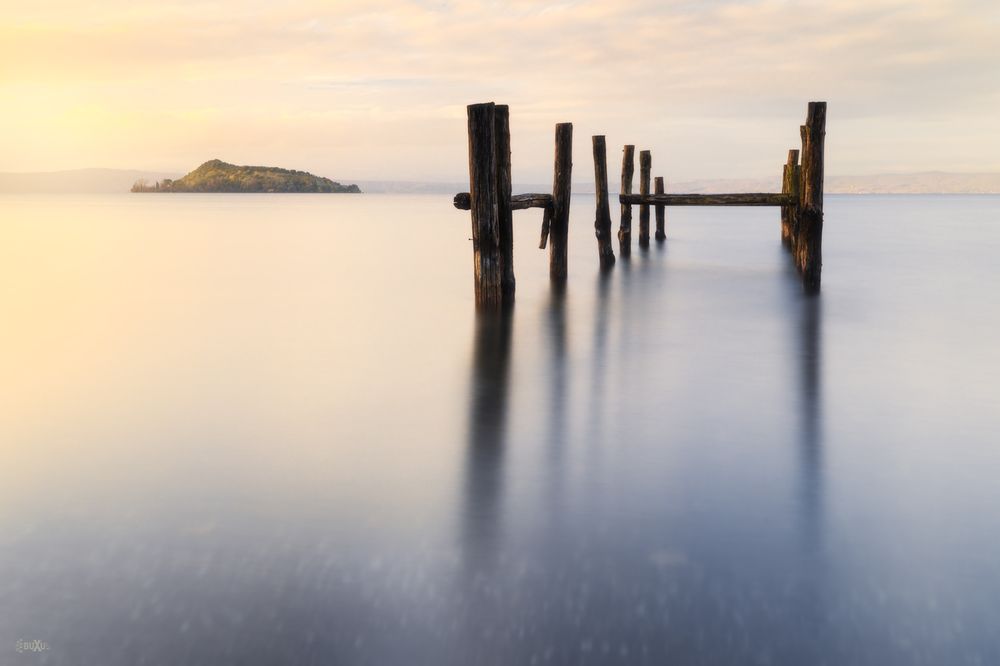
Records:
x=270, y=429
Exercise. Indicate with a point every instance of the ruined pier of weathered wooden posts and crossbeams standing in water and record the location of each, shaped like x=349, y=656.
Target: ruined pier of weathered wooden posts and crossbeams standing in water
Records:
x=491, y=202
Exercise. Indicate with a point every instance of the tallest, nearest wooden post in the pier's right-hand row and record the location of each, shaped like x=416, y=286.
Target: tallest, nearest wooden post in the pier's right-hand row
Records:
x=809, y=243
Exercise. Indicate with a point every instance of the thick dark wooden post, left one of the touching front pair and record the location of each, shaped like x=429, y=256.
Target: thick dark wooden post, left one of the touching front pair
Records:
x=487, y=254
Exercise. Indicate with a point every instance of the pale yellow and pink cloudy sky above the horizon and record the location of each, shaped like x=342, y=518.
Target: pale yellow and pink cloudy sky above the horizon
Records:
x=377, y=90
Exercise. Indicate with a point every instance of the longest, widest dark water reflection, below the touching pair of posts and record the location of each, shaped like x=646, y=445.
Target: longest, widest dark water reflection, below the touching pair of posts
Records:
x=486, y=432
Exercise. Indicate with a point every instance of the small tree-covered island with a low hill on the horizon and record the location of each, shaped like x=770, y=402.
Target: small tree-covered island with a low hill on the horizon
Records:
x=219, y=176
